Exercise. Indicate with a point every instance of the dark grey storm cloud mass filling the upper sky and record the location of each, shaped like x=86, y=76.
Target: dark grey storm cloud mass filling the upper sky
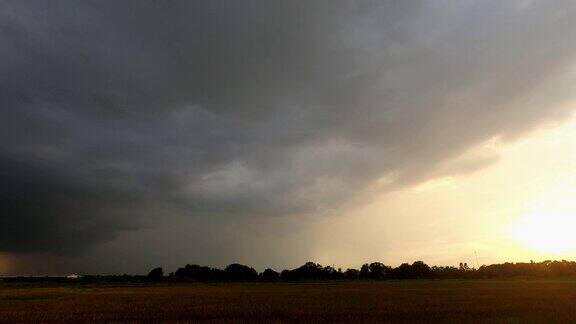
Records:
x=115, y=113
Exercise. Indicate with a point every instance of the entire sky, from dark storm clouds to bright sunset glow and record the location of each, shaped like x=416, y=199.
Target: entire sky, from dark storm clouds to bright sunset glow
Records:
x=137, y=134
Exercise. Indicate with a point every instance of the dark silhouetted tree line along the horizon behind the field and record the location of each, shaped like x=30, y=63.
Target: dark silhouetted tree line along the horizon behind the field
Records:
x=370, y=271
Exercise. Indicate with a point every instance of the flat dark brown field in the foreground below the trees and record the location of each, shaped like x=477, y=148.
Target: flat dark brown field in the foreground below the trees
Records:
x=391, y=301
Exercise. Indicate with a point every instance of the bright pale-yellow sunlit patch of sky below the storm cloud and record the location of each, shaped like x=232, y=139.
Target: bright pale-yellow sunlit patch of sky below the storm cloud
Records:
x=512, y=210
